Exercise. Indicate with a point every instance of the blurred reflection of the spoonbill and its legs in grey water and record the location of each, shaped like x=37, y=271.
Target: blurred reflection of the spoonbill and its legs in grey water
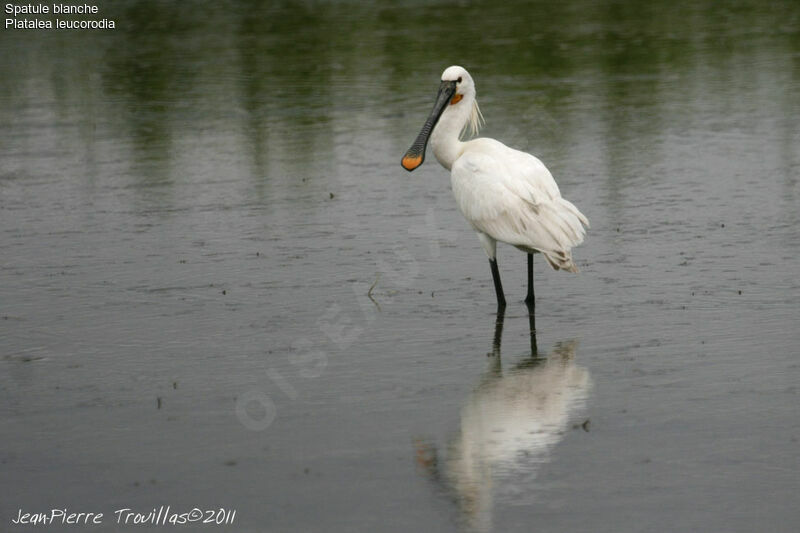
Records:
x=509, y=425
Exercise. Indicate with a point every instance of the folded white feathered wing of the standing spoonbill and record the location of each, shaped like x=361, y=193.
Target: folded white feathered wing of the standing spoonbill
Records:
x=502, y=197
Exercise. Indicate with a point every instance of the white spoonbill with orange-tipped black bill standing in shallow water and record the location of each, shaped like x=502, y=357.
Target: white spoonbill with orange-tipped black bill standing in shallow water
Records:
x=506, y=195
